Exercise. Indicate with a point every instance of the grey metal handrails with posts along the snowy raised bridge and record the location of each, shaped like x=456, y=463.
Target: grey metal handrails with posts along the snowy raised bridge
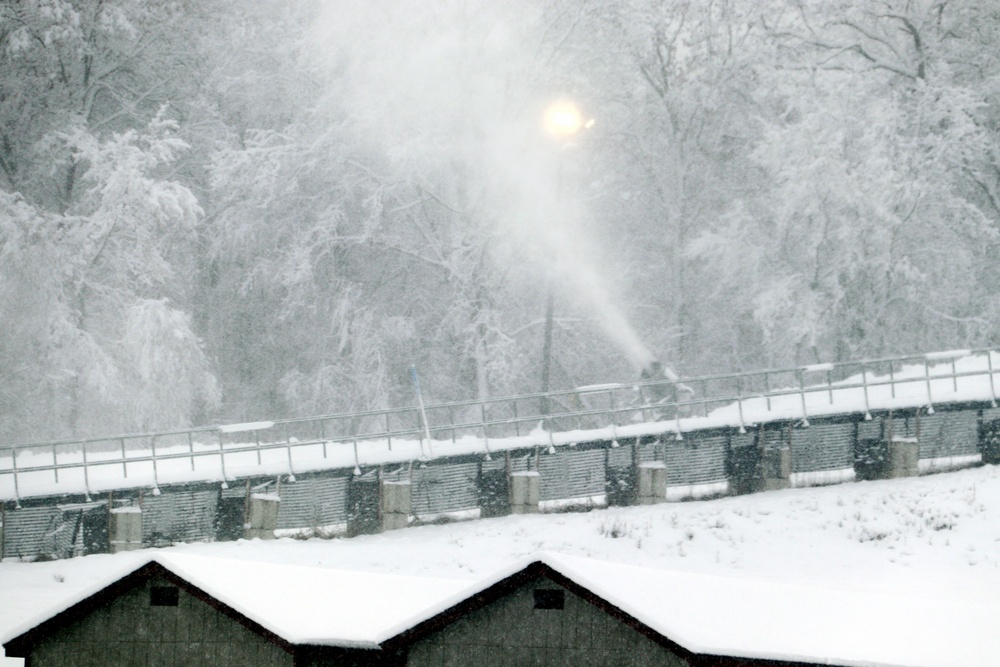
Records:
x=618, y=411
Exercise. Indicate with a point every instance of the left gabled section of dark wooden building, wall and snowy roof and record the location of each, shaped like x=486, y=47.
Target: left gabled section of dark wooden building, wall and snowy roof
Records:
x=190, y=610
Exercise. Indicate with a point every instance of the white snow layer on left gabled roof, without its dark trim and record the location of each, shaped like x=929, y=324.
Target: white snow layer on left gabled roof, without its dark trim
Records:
x=302, y=605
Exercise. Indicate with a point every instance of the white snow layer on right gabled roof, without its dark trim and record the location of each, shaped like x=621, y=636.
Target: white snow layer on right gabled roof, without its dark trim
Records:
x=752, y=618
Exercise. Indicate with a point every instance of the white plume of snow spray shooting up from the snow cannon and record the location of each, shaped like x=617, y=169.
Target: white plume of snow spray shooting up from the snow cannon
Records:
x=451, y=92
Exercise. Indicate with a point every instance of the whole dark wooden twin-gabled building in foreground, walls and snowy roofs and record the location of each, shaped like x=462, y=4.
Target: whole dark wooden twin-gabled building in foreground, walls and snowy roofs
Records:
x=549, y=611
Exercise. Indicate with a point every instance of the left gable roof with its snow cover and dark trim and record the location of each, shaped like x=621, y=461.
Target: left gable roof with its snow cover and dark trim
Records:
x=288, y=605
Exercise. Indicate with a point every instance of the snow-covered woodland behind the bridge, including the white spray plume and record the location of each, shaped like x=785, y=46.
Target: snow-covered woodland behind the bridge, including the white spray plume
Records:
x=220, y=210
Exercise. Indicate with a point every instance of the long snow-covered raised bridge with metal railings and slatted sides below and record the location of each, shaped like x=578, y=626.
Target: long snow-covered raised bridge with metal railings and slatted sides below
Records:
x=712, y=436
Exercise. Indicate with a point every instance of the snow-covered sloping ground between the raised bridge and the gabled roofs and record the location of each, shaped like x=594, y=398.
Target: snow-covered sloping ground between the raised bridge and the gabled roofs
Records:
x=934, y=540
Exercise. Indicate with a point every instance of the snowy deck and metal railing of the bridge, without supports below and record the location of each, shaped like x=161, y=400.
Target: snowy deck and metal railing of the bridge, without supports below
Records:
x=735, y=399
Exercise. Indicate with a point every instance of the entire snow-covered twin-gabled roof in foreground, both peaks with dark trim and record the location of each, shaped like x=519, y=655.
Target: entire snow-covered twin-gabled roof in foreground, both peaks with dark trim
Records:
x=705, y=614
